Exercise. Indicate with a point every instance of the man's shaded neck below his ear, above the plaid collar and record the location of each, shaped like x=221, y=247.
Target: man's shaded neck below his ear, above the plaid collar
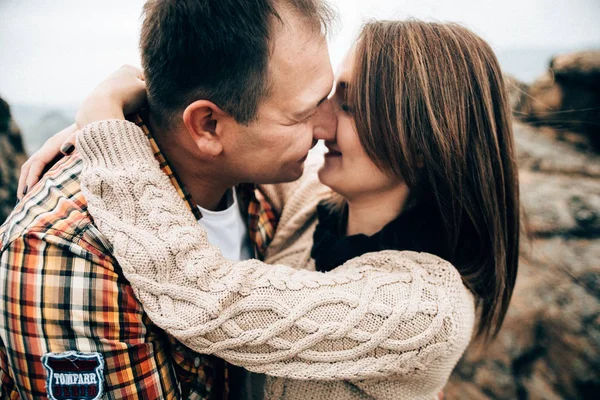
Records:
x=204, y=184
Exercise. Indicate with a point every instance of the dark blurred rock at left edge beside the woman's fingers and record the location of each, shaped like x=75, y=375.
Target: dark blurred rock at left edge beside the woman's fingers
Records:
x=12, y=156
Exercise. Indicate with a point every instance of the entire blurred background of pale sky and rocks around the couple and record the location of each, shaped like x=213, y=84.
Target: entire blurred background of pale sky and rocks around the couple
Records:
x=55, y=52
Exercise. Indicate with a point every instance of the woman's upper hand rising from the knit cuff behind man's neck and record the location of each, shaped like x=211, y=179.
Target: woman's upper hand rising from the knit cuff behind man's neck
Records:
x=122, y=93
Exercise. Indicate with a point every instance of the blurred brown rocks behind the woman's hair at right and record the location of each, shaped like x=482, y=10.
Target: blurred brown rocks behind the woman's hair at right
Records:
x=549, y=346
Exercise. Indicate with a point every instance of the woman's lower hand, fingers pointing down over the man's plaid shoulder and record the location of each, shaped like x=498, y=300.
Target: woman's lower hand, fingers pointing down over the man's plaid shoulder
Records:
x=58, y=145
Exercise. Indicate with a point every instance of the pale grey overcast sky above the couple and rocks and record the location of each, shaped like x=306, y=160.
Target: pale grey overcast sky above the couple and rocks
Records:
x=55, y=52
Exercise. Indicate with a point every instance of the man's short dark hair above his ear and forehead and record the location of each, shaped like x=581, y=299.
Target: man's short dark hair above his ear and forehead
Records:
x=216, y=50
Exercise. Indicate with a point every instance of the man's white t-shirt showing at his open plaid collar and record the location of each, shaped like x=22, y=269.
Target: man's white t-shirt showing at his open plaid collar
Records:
x=228, y=231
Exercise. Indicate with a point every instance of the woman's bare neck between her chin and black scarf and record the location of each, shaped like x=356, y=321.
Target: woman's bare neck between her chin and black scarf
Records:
x=370, y=213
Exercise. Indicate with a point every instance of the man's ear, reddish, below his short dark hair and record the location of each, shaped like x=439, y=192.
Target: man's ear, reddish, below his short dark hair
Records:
x=202, y=119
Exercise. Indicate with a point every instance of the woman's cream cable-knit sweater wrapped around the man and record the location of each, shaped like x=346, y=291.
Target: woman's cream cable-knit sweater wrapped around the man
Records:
x=402, y=316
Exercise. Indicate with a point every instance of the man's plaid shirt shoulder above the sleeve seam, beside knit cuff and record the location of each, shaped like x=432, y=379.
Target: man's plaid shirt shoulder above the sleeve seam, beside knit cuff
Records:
x=56, y=208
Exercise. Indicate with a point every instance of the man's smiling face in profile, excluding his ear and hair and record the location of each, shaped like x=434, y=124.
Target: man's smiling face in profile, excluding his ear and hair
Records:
x=296, y=112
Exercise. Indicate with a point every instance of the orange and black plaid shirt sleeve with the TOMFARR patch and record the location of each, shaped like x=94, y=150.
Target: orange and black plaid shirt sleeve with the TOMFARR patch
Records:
x=56, y=298
